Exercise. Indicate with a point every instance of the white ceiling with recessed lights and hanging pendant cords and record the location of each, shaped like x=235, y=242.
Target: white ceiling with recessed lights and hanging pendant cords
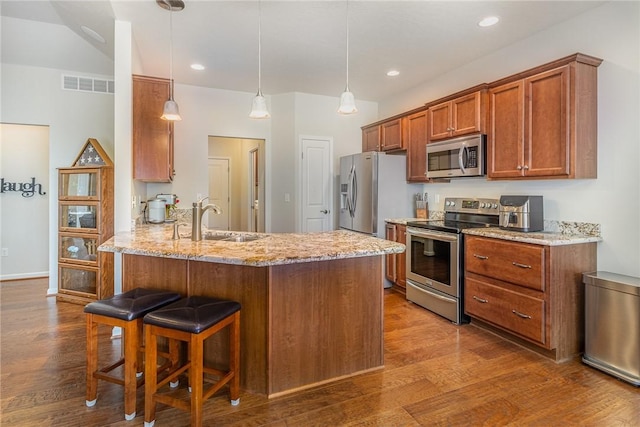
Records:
x=303, y=42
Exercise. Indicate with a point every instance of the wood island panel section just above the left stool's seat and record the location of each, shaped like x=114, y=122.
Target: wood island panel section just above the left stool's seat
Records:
x=154, y=272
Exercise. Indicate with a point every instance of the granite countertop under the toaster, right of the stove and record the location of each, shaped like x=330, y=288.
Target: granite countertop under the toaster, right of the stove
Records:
x=547, y=238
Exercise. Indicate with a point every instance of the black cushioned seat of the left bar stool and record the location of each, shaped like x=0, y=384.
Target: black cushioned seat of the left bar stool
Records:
x=132, y=304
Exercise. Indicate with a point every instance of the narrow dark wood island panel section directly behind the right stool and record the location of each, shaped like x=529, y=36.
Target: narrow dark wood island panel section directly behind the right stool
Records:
x=248, y=286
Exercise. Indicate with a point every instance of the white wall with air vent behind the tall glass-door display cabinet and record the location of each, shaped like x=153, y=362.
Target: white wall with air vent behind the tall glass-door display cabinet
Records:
x=33, y=95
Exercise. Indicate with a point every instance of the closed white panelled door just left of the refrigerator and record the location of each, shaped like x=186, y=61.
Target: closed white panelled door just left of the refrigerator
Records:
x=316, y=186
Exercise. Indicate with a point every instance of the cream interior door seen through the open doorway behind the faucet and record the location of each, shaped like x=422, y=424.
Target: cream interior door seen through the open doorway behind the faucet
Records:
x=219, y=171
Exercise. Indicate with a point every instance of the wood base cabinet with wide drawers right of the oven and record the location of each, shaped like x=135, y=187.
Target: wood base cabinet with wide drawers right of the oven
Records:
x=533, y=293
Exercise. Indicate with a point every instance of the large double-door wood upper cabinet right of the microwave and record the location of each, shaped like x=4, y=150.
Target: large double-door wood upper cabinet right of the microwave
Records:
x=543, y=122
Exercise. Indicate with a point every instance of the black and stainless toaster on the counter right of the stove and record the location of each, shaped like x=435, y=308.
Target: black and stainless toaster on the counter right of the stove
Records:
x=521, y=213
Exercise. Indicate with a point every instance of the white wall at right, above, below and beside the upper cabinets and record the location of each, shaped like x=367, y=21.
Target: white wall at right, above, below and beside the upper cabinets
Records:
x=610, y=32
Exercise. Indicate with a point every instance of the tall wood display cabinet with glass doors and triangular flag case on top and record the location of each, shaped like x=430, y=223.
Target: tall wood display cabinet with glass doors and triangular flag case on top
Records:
x=85, y=220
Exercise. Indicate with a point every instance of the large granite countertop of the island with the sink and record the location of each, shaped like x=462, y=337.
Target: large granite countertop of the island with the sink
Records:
x=270, y=249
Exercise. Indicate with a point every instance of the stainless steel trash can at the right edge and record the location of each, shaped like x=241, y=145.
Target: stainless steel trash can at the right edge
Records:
x=612, y=324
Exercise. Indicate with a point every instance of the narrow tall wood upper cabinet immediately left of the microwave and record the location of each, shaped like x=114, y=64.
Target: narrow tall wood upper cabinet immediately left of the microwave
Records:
x=416, y=128
